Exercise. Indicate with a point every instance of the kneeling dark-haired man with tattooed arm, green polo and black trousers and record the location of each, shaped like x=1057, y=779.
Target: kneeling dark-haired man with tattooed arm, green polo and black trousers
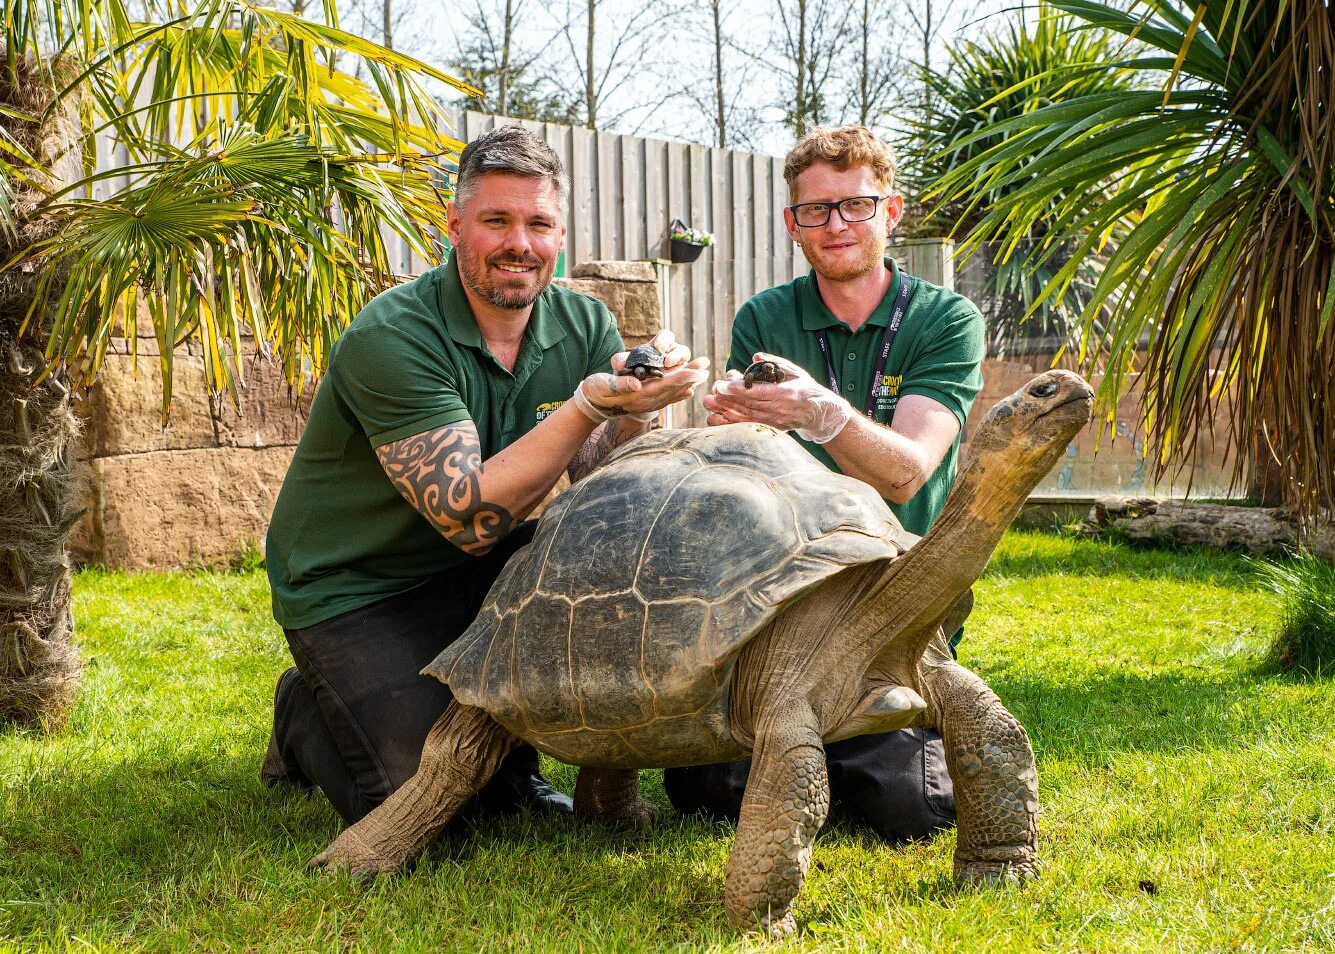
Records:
x=452, y=406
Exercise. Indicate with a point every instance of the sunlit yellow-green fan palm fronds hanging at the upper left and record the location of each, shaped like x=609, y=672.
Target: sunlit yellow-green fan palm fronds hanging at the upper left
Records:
x=265, y=190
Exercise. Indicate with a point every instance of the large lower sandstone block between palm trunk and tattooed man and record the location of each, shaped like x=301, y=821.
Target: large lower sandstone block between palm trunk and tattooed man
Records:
x=165, y=509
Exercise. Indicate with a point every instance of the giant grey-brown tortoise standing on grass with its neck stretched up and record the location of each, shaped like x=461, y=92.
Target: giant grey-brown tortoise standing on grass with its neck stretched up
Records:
x=714, y=594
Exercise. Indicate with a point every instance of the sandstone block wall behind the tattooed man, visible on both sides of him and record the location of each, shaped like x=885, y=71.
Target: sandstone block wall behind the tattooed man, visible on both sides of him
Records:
x=200, y=492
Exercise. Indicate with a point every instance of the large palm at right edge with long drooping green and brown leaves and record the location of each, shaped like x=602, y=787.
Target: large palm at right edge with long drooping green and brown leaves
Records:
x=1218, y=194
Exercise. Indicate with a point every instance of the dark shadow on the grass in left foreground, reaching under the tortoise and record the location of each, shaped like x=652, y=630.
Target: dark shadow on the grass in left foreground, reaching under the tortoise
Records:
x=136, y=841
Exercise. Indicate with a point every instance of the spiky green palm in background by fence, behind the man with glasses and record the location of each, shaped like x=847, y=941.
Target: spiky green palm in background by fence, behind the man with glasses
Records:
x=982, y=109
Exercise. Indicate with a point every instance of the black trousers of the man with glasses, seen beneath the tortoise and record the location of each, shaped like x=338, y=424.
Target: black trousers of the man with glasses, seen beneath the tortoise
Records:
x=894, y=785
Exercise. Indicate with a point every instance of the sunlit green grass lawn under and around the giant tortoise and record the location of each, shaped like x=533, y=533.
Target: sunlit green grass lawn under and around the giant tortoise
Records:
x=1189, y=796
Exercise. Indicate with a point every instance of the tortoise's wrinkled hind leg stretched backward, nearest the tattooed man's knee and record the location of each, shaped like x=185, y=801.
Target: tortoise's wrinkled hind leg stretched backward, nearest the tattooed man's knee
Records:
x=461, y=753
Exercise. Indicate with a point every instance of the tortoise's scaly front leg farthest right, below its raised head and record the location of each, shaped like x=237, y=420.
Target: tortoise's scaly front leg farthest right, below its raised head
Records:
x=997, y=785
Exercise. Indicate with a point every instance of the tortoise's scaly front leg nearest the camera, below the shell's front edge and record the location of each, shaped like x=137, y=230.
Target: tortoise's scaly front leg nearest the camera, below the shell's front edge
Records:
x=786, y=805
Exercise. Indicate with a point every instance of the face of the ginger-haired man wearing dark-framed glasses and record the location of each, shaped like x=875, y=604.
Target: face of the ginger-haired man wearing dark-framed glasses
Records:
x=843, y=252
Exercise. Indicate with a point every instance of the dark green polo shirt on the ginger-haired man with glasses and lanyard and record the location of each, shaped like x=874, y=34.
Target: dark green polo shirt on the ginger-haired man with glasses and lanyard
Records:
x=937, y=353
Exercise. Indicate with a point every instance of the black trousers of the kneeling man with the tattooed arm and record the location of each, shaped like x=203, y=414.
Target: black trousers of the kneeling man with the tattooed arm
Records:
x=353, y=714
